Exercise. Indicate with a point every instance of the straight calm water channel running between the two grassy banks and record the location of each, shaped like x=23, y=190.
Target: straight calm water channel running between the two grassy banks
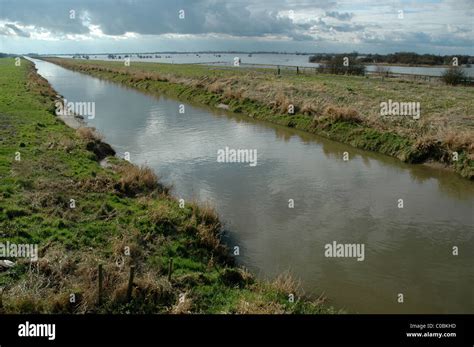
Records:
x=408, y=250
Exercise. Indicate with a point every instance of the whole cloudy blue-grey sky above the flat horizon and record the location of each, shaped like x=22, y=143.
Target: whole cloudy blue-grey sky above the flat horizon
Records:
x=368, y=26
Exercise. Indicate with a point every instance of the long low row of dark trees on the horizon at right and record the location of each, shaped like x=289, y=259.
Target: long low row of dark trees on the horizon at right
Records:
x=408, y=58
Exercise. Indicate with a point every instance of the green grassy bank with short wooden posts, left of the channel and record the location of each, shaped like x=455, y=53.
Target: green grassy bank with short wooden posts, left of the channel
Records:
x=120, y=216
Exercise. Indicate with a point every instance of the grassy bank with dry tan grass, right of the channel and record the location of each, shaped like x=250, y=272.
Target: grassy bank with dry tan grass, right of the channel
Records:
x=342, y=108
